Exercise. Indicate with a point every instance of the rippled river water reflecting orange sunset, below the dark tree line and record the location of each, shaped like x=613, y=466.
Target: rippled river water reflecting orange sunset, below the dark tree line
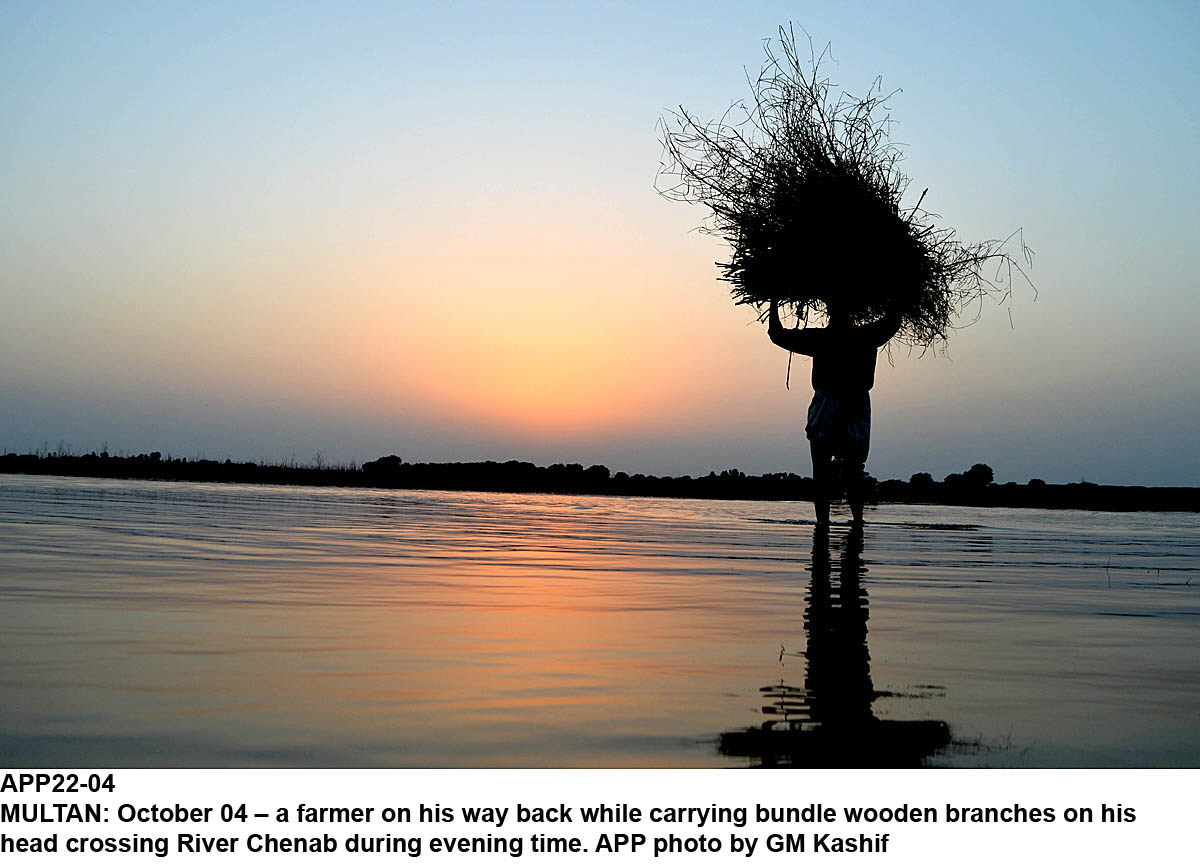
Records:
x=185, y=625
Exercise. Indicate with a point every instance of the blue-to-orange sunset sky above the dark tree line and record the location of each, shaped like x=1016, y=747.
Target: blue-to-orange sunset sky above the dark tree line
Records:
x=263, y=231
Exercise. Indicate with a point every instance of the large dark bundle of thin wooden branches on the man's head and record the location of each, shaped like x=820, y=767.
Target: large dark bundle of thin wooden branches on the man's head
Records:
x=806, y=189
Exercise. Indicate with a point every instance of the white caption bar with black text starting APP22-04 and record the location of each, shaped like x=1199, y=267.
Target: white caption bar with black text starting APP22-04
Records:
x=51, y=815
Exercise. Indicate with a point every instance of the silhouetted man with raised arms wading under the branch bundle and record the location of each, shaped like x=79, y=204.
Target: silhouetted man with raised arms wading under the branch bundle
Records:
x=839, y=427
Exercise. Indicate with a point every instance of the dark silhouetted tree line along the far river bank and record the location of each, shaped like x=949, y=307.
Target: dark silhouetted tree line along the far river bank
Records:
x=973, y=488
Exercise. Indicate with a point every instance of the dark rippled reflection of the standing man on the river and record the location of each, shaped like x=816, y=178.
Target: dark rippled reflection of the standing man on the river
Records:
x=830, y=723
